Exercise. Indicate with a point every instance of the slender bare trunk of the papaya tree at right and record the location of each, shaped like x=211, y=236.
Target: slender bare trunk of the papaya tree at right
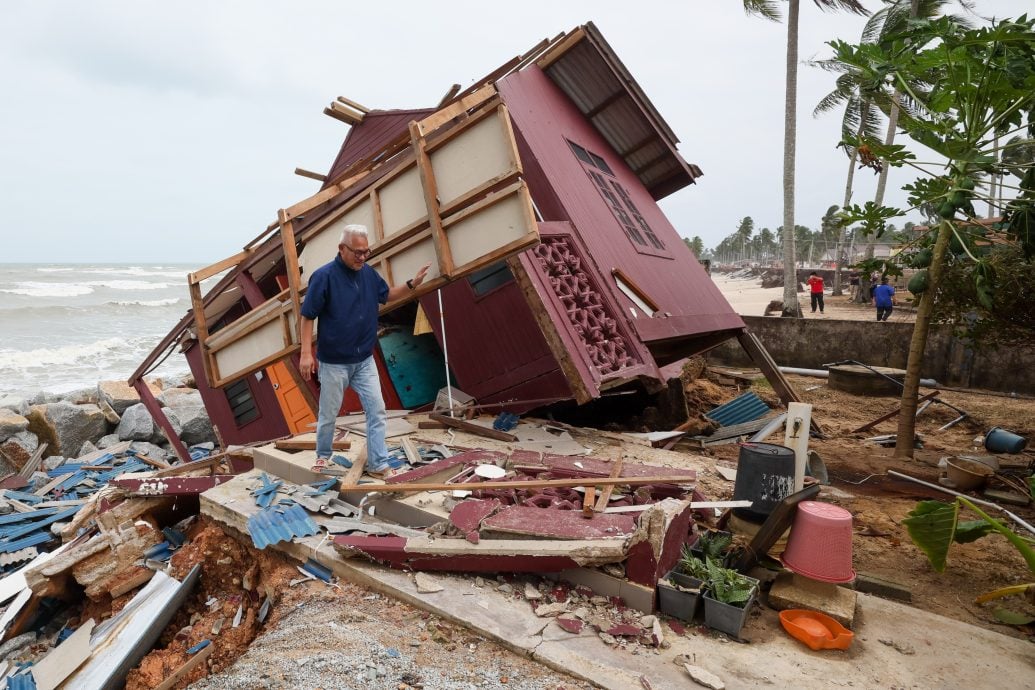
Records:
x=907, y=417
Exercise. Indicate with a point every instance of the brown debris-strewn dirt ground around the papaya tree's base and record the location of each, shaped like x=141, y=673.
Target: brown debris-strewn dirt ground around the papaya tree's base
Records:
x=879, y=503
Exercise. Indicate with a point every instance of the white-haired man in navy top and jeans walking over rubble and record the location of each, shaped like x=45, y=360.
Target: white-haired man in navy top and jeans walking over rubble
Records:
x=345, y=295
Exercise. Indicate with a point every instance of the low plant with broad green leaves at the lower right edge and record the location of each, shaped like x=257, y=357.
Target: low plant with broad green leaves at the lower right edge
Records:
x=934, y=526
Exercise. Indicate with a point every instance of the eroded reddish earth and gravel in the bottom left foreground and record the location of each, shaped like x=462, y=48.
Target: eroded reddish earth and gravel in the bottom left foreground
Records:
x=316, y=636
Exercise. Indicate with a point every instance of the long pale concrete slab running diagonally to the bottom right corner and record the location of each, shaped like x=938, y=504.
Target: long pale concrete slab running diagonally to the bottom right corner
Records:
x=950, y=654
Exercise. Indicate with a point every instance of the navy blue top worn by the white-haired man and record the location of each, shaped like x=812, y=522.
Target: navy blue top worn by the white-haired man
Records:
x=346, y=305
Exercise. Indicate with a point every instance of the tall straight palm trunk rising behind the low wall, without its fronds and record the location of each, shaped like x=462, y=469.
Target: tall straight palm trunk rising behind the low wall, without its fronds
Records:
x=791, y=308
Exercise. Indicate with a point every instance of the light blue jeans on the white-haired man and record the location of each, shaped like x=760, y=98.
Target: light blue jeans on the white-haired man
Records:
x=364, y=379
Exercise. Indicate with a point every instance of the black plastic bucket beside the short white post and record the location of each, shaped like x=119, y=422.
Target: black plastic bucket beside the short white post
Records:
x=765, y=476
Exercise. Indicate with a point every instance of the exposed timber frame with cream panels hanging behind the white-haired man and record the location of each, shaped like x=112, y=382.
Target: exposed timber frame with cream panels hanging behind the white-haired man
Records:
x=454, y=198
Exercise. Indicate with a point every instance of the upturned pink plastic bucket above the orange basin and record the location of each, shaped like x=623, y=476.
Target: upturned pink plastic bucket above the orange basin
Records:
x=820, y=547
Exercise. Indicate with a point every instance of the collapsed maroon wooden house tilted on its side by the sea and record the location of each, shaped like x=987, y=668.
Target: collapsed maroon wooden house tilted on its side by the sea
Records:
x=535, y=196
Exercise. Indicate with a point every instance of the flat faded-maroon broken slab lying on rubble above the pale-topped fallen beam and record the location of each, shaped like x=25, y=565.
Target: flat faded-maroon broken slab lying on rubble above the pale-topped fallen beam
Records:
x=552, y=524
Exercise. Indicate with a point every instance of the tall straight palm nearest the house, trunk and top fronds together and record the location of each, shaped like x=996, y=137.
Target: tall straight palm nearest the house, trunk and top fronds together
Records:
x=768, y=10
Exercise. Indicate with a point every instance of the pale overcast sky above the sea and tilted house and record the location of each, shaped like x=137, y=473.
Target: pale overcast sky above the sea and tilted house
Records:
x=134, y=131
